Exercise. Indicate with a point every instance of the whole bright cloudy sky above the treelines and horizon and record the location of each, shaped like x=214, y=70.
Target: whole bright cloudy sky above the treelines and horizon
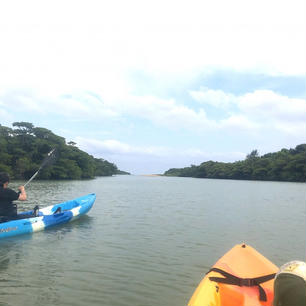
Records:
x=151, y=85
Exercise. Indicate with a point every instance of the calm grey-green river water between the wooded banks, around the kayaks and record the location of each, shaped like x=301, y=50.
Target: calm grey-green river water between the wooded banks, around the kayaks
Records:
x=148, y=240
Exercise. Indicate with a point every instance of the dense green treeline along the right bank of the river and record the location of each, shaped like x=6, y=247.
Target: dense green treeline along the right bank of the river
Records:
x=285, y=165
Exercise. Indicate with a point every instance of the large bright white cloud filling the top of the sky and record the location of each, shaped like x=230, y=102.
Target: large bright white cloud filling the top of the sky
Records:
x=52, y=46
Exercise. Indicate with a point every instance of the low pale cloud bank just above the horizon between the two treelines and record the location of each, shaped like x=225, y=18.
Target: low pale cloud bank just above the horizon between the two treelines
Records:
x=156, y=159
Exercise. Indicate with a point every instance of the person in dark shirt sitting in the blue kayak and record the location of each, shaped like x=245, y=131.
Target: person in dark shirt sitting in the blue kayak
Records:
x=8, y=209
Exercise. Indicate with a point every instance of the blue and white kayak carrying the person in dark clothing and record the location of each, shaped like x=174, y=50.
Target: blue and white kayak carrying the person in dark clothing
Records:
x=48, y=216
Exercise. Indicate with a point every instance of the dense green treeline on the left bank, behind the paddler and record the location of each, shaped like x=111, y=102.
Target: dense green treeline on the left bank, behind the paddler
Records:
x=23, y=148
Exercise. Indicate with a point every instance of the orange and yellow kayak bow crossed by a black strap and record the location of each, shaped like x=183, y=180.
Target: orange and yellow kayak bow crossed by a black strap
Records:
x=243, y=262
